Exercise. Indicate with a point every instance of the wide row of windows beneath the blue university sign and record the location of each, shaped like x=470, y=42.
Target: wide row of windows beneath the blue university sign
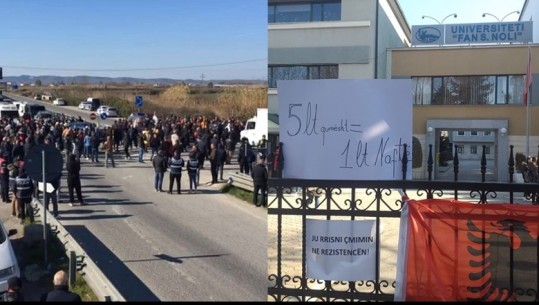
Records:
x=468, y=90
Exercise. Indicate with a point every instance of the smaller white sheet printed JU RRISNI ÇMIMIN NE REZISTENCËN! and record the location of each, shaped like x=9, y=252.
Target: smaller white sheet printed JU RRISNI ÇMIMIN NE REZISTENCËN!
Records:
x=341, y=250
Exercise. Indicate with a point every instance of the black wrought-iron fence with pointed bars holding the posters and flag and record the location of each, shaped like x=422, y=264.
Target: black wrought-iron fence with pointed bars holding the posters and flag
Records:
x=293, y=201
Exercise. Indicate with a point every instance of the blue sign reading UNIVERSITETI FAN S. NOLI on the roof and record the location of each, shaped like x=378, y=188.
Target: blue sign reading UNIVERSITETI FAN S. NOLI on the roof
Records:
x=473, y=33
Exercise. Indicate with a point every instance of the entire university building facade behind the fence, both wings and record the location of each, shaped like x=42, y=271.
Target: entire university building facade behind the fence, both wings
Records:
x=469, y=94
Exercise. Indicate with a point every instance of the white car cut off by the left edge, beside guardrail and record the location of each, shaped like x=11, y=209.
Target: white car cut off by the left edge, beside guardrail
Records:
x=8, y=261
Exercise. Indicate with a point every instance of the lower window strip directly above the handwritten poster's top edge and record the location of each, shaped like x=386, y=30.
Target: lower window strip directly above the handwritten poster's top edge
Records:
x=276, y=73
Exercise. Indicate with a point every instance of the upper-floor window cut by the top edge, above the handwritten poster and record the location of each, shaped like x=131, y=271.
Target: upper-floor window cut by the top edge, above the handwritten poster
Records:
x=329, y=10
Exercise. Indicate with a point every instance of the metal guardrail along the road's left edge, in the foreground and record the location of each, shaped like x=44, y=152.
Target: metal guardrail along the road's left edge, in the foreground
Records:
x=94, y=277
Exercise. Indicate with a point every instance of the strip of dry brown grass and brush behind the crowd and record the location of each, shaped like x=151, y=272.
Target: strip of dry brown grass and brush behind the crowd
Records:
x=226, y=102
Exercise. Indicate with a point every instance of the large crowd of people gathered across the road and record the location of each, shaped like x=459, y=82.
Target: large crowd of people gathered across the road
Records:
x=159, y=140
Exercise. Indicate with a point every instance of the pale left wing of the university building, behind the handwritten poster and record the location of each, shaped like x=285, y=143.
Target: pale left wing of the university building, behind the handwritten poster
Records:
x=330, y=39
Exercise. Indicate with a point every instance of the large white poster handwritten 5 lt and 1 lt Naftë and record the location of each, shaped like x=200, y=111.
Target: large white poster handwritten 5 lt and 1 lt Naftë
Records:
x=341, y=129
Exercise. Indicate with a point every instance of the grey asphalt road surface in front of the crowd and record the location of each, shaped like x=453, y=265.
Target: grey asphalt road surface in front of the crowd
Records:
x=155, y=246
